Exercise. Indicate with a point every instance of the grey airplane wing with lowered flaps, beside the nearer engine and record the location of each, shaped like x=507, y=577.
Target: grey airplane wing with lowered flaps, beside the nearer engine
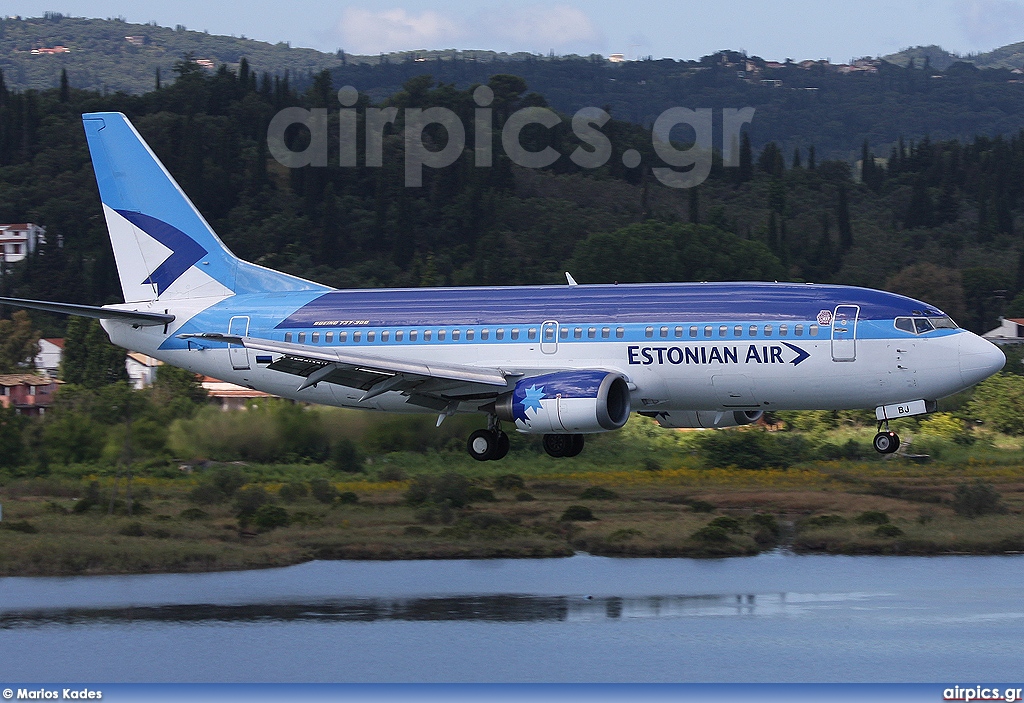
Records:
x=429, y=384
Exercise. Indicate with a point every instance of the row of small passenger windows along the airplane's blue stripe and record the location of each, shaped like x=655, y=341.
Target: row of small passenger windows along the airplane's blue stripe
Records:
x=549, y=334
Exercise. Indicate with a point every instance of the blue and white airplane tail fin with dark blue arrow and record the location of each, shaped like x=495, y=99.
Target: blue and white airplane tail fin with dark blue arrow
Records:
x=163, y=247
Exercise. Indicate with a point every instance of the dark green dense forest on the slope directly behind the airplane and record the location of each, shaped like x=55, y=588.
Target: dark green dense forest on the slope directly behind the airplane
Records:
x=937, y=219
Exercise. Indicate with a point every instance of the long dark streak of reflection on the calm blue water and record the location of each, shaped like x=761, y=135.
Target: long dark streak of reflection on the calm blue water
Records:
x=492, y=608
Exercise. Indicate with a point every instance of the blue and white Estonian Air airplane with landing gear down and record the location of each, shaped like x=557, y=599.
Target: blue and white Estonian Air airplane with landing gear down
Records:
x=563, y=362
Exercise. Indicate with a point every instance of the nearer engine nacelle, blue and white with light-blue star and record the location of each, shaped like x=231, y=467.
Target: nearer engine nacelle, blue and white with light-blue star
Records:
x=575, y=403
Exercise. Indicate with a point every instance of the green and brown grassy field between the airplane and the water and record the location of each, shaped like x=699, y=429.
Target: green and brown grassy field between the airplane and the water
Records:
x=511, y=510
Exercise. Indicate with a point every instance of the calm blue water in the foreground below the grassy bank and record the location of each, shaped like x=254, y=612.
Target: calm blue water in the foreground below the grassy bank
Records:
x=777, y=618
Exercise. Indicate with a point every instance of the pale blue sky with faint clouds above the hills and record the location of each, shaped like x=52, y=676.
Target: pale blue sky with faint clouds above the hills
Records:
x=679, y=29
